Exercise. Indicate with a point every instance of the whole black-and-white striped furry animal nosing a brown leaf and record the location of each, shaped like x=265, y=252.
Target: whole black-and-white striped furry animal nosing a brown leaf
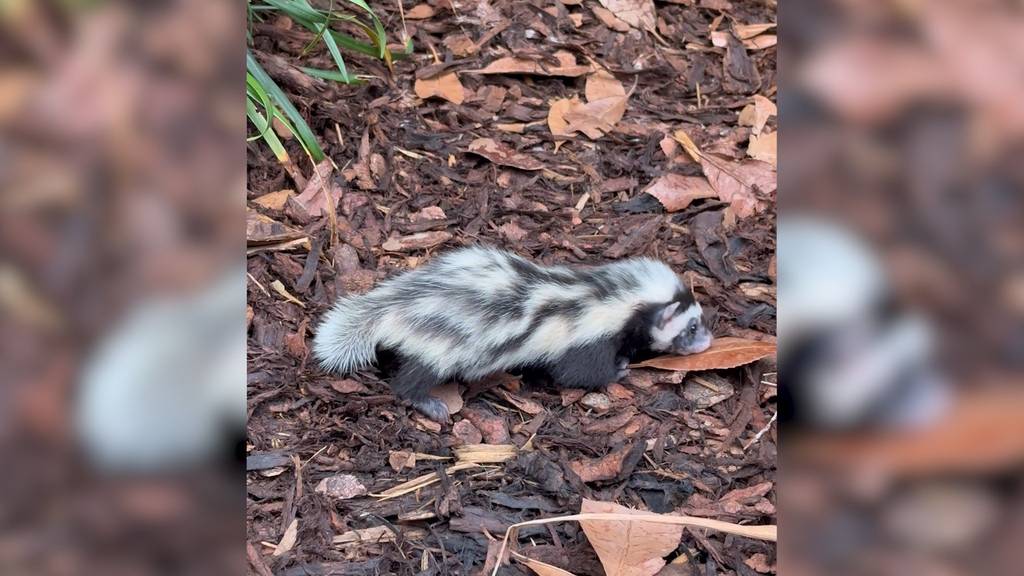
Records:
x=476, y=312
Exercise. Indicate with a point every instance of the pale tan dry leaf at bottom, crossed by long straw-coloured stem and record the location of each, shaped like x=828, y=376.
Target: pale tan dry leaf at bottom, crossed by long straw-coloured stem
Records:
x=629, y=549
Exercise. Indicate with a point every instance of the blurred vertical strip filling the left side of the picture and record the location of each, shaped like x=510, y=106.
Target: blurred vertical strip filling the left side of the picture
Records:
x=122, y=292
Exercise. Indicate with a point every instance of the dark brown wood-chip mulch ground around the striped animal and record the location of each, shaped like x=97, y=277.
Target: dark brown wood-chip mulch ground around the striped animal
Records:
x=407, y=188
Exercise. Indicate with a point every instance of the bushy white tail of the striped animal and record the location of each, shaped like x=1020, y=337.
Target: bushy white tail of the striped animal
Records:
x=347, y=339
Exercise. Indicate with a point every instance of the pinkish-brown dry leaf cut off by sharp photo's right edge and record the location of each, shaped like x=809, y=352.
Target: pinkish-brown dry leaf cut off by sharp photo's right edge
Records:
x=746, y=186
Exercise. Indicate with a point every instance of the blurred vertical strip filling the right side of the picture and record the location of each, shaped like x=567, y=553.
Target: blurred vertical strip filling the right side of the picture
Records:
x=902, y=283
